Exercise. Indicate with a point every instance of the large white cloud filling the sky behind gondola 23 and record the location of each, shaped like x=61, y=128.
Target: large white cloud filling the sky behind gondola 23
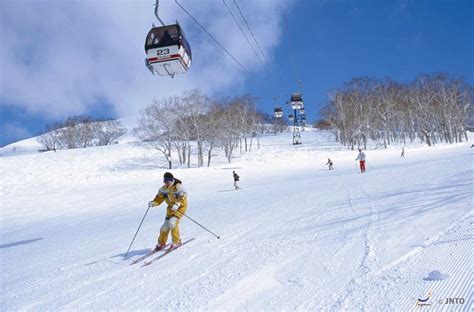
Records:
x=59, y=58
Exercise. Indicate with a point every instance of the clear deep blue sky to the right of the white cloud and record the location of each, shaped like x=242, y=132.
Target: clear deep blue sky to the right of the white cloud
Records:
x=332, y=42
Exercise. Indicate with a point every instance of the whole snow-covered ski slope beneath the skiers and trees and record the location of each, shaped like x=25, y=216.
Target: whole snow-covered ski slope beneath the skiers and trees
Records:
x=295, y=237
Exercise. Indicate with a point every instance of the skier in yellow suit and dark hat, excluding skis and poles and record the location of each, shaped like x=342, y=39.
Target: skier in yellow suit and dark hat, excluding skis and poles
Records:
x=174, y=194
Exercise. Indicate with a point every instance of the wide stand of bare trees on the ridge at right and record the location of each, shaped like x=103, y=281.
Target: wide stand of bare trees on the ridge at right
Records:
x=434, y=108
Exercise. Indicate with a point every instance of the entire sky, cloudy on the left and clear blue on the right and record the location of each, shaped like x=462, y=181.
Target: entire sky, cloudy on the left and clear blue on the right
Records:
x=61, y=58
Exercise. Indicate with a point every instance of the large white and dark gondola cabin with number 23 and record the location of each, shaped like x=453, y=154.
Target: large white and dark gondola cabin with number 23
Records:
x=167, y=51
